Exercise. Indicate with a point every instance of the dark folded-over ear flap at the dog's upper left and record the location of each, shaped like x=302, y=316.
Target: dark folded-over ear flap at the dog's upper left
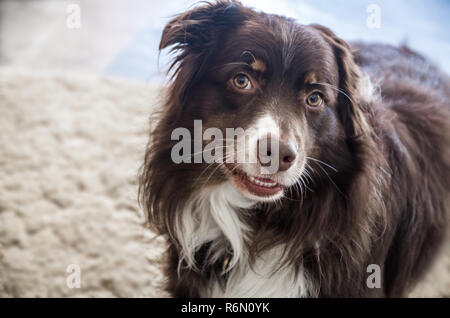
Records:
x=200, y=27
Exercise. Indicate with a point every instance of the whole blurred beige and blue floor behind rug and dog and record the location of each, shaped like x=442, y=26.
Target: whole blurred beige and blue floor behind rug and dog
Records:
x=121, y=37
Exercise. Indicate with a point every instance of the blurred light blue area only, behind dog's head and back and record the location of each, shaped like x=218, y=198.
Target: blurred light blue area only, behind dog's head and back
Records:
x=423, y=25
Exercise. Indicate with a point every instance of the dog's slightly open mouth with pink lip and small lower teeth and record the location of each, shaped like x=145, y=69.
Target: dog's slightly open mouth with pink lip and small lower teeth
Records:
x=264, y=188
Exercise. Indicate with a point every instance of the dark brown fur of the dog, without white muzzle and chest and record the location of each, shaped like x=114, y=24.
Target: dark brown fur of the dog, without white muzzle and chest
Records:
x=386, y=204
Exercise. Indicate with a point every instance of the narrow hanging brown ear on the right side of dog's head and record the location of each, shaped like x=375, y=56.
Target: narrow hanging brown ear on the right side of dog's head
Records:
x=350, y=80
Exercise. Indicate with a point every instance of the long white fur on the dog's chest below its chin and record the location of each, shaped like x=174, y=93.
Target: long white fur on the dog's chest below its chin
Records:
x=212, y=216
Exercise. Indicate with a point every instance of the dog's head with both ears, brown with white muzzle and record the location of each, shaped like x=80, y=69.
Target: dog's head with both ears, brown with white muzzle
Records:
x=290, y=87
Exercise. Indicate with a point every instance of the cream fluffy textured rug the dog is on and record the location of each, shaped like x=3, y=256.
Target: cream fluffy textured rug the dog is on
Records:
x=70, y=149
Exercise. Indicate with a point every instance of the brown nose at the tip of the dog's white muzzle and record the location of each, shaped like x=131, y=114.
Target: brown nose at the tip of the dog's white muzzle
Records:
x=272, y=151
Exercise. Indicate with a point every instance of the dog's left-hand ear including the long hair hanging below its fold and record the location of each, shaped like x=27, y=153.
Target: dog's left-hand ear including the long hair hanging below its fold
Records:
x=194, y=36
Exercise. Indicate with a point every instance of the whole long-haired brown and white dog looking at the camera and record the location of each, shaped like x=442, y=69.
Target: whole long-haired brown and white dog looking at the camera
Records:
x=363, y=174
